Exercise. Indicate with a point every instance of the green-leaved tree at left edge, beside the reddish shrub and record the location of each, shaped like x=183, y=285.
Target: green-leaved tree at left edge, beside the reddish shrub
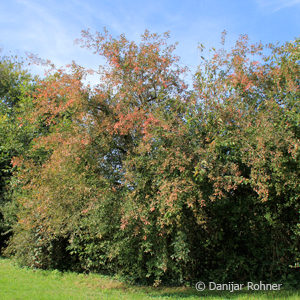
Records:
x=16, y=85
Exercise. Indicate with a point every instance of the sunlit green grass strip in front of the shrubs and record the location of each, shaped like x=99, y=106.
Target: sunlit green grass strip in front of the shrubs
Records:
x=24, y=283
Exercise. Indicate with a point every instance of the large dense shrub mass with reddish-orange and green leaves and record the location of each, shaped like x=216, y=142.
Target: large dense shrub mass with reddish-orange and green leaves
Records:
x=143, y=177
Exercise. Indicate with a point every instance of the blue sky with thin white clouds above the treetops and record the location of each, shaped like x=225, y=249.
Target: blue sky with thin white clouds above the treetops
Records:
x=49, y=27
